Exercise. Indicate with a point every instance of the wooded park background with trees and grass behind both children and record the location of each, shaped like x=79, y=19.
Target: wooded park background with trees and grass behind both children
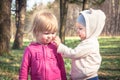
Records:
x=15, y=35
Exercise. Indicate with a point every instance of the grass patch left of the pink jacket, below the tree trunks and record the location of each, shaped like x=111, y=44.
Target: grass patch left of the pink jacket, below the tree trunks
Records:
x=9, y=65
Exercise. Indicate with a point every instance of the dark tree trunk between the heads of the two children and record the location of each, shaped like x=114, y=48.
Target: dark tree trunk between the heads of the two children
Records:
x=63, y=16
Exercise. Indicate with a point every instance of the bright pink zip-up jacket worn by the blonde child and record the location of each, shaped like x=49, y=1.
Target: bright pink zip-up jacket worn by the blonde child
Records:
x=42, y=62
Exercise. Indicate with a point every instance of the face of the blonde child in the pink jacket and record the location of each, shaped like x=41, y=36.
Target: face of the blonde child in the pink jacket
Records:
x=45, y=37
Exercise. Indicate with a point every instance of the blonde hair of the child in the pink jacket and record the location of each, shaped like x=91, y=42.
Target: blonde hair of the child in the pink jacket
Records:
x=44, y=21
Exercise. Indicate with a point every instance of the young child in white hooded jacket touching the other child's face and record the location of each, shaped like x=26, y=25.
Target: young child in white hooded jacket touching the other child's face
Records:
x=86, y=58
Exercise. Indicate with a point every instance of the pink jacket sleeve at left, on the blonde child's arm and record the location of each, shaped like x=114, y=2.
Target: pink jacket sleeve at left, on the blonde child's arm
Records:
x=24, y=69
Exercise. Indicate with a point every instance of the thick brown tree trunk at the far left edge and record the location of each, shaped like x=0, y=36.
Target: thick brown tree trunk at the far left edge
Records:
x=5, y=13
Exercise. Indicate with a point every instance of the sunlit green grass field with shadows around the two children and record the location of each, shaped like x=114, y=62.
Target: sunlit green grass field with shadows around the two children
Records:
x=109, y=70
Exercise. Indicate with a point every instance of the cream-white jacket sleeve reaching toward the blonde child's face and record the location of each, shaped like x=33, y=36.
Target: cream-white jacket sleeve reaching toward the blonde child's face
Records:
x=81, y=50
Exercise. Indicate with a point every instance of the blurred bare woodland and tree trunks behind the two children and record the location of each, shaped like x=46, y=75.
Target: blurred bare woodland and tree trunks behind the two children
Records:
x=66, y=12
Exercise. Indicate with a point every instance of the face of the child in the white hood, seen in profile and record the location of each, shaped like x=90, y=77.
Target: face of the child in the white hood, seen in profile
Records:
x=81, y=31
